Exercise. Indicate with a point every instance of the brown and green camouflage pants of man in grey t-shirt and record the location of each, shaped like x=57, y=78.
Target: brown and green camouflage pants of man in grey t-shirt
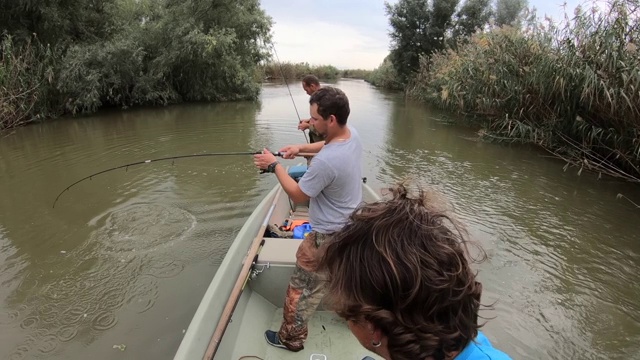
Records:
x=306, y=289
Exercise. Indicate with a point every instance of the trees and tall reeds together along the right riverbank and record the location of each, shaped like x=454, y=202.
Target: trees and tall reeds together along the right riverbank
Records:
x=571, y=87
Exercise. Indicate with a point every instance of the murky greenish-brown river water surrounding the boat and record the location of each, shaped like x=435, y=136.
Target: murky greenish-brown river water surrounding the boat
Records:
x=117, y=269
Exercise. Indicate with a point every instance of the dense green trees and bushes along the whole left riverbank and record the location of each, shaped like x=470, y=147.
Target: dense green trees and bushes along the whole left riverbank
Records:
x=79, y=56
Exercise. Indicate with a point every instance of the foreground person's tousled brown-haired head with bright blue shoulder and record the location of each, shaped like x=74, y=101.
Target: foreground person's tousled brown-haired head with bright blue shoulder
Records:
x=399, y=274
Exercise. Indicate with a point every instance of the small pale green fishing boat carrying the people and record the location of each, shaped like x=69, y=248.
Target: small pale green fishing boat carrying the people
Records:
x=246, y=296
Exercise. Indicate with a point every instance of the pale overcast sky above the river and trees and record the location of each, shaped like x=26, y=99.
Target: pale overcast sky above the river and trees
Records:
x=349, y=34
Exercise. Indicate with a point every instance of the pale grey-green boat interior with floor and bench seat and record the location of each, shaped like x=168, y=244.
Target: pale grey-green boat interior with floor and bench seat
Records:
x=260, y=307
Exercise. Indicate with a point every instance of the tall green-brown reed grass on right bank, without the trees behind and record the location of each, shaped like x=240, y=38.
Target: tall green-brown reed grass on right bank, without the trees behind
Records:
x=574, y=89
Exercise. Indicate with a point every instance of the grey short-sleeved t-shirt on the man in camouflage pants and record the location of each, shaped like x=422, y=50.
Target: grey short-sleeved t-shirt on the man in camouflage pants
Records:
x=334, y=184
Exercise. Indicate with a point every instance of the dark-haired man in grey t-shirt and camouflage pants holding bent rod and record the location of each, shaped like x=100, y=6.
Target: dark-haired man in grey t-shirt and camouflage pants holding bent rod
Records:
x=333, y=188
